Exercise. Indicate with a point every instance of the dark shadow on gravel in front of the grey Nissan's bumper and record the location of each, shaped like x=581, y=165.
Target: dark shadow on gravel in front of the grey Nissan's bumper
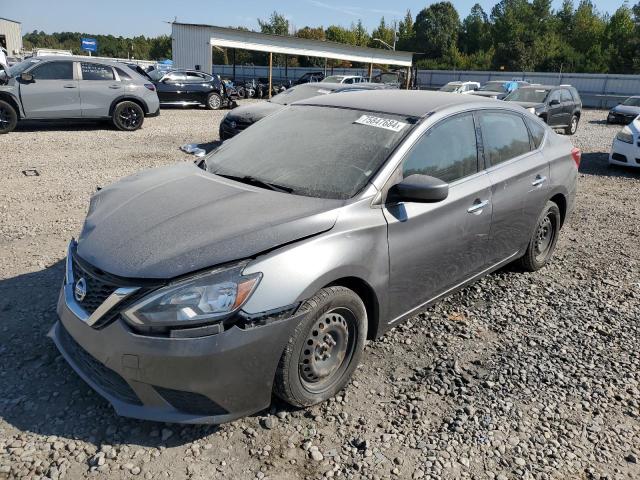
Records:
x=40, y=393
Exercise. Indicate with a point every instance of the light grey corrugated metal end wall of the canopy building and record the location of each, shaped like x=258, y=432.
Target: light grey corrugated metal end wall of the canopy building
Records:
x=190, y=46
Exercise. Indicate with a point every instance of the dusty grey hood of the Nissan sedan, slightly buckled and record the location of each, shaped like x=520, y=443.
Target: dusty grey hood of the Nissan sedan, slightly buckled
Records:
x=174, y=220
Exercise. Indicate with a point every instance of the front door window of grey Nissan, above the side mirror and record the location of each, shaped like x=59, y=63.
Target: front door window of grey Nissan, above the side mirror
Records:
x=448, y=151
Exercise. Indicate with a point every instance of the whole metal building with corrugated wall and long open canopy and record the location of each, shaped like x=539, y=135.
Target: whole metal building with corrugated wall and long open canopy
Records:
x=192, y=43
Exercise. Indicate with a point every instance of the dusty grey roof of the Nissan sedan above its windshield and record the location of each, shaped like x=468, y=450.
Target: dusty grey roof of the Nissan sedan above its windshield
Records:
x=413, y=103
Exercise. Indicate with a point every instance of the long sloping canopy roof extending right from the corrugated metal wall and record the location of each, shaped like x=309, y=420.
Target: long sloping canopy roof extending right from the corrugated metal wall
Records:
x=233, y=38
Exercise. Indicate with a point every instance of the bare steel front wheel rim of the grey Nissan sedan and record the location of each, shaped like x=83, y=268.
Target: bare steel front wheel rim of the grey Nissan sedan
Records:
x=327, y=350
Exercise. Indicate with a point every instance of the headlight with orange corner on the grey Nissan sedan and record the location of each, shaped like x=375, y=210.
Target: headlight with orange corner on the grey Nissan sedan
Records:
x=198, y=300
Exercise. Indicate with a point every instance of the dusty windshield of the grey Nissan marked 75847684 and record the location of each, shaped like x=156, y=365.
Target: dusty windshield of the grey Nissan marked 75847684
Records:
x=291, y=149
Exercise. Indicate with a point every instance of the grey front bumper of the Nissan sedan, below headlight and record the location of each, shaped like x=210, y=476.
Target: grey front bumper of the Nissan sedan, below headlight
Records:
x=212, y=379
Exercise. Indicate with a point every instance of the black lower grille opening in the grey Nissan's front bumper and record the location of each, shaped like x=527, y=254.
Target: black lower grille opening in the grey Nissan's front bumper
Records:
x=107, y=379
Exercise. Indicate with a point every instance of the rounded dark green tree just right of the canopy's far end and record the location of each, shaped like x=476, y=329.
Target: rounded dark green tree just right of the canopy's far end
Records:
x=436, y=29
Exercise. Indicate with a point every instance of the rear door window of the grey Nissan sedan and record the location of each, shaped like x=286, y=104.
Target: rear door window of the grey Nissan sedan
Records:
x=504, y=136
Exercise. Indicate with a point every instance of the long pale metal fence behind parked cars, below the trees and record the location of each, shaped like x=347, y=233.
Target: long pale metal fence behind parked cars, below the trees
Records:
x=596, y=90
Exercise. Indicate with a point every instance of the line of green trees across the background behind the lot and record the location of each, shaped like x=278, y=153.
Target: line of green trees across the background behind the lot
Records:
x=517, y=35
